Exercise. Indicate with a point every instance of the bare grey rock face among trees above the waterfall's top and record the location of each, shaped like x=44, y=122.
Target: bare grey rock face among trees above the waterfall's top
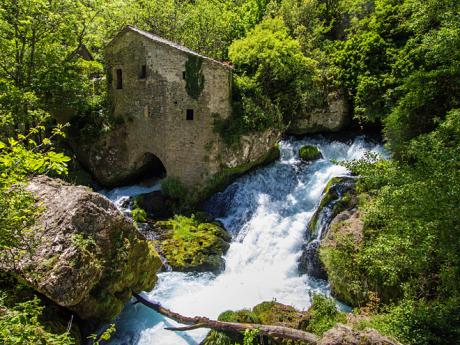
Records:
x=332, y=118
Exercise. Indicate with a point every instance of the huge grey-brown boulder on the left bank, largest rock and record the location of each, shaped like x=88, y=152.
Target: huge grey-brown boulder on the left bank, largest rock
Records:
x=86, y=255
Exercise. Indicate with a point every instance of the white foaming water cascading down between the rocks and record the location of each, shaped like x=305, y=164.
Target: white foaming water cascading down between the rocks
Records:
x=267, y=213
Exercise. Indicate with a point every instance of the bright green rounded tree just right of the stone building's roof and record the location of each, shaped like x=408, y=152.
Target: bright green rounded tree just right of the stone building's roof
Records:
x=270, y=70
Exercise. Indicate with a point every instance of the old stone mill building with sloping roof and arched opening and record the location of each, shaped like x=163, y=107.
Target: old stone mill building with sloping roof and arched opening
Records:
x=168, y=95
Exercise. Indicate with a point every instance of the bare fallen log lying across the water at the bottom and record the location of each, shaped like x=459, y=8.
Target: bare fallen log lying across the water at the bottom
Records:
x=203, y=322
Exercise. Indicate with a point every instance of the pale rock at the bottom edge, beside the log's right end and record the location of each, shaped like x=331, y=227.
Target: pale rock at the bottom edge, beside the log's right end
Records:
x=344, y=335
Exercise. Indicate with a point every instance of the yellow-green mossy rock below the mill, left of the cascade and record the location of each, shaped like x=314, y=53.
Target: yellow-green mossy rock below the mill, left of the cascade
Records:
x=189, y=245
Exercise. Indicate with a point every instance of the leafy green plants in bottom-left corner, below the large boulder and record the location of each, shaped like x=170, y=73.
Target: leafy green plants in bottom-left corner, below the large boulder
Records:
x=20, y=325
